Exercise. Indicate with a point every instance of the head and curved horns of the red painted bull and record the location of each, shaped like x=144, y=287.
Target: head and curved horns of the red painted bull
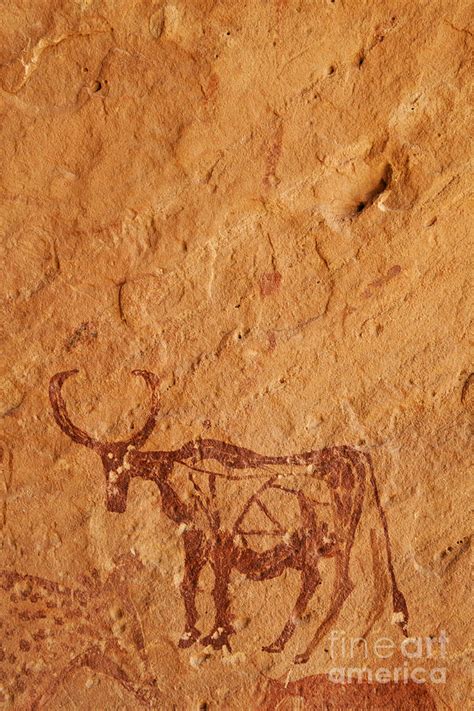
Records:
x=114, y=455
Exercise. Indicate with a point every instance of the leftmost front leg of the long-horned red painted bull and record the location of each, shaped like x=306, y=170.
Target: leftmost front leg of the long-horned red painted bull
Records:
x=195, y=558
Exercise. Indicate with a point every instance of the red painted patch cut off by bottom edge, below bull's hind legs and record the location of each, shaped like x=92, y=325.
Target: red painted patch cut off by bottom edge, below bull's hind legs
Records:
x=319, y=693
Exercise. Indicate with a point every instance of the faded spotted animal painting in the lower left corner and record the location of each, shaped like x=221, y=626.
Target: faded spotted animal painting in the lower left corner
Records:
x=48, y=631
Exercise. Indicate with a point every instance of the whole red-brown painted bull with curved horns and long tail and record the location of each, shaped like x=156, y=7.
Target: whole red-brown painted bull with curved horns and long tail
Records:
x=344, y=472
